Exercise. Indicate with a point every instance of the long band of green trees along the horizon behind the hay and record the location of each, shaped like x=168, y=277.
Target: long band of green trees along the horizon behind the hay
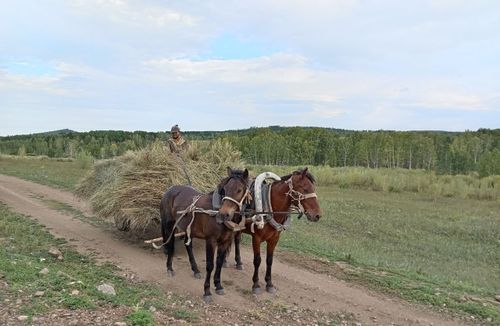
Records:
x=443, y=152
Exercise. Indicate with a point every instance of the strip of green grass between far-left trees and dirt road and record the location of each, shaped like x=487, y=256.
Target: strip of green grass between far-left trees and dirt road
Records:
x=57, y=173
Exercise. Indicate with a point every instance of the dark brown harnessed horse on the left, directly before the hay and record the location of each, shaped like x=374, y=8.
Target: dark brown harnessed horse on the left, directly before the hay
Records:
x=186, y=209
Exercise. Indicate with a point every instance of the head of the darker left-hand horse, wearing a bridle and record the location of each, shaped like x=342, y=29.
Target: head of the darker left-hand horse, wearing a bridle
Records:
x=234, y=192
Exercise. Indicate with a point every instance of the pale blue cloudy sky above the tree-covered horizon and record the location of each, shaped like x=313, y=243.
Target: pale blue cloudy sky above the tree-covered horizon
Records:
x=221, y=65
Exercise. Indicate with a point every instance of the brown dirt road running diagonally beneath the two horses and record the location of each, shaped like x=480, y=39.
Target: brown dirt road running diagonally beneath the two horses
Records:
x=295, y=284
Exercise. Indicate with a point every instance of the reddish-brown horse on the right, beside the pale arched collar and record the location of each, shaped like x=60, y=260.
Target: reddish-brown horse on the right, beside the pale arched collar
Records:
x=296, y=189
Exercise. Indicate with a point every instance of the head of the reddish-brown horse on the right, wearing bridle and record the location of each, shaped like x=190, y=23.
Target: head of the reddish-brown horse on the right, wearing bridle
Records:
x=303, y=194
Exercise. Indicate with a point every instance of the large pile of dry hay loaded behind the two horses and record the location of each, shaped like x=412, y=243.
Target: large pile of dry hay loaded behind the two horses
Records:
x=127, y=190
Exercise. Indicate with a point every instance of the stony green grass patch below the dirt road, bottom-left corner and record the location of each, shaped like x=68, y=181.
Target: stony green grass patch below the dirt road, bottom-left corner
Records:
x=24, y=253
